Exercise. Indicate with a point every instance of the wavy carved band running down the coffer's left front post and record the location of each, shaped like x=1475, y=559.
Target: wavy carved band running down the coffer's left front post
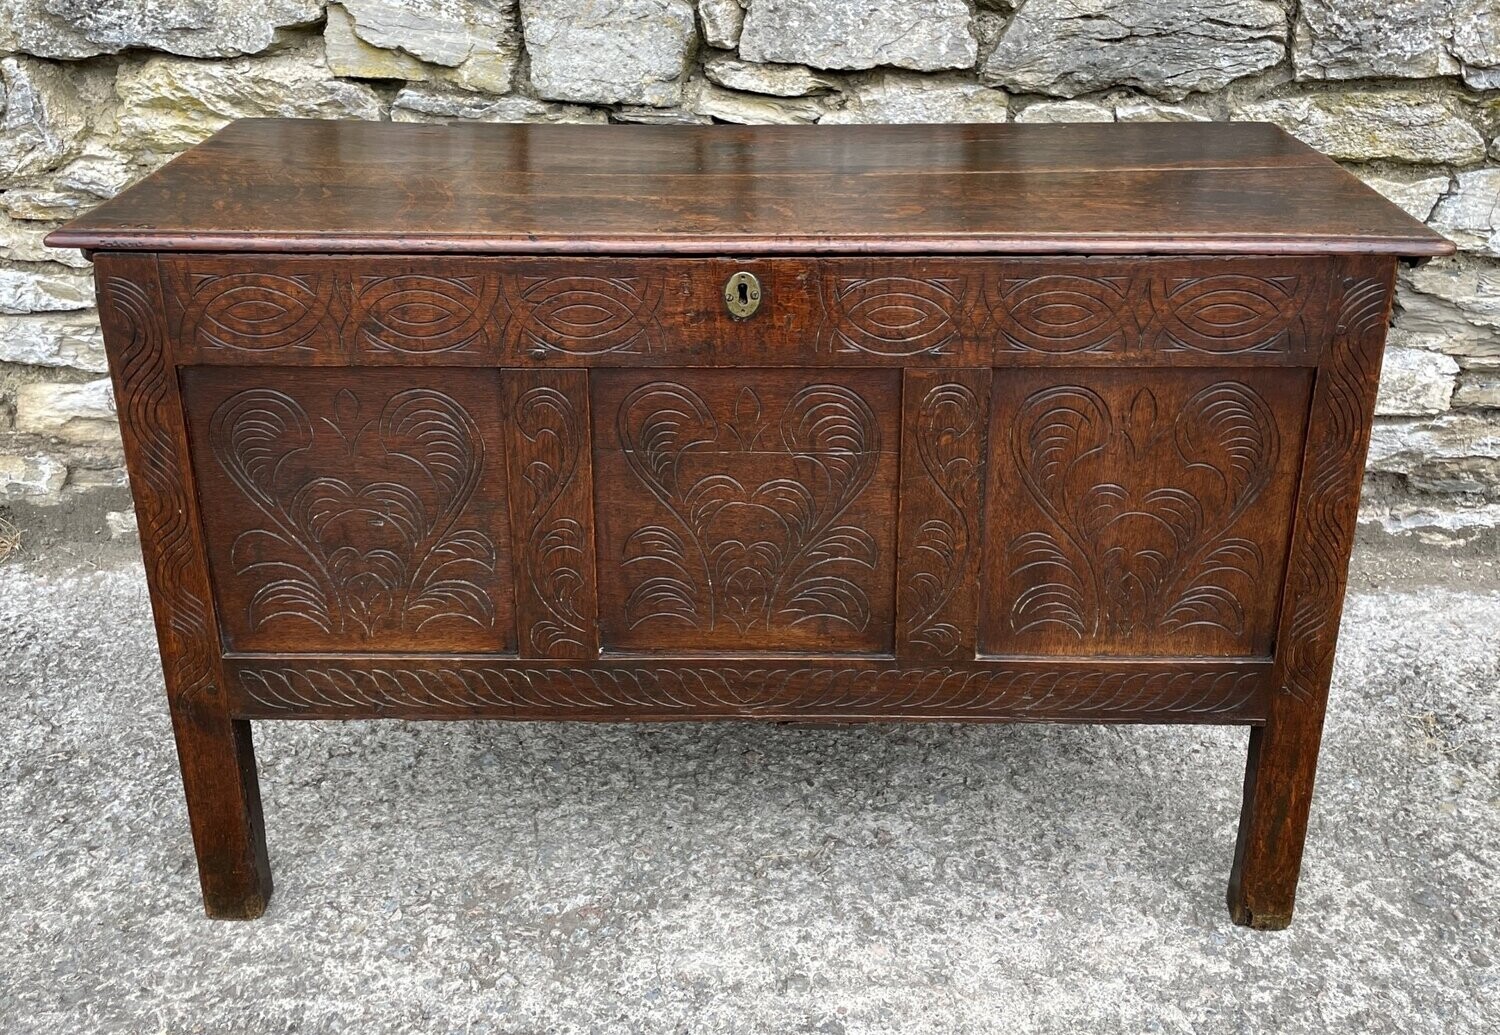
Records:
x=151, y=425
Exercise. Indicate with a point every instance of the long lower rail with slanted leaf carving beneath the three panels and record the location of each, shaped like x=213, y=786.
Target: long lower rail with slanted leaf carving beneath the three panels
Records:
x=490, y=688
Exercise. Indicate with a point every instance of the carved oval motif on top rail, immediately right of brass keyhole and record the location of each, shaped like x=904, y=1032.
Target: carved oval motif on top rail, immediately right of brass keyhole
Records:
x=893, y=316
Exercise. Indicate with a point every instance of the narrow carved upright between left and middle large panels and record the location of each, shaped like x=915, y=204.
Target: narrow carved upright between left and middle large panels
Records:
x=553, y=514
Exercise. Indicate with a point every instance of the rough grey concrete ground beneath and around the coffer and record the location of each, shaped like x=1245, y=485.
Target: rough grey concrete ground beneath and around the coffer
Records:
x=737, y=878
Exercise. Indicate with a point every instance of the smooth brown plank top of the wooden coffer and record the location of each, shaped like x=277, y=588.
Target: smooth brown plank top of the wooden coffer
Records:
x=286, y=185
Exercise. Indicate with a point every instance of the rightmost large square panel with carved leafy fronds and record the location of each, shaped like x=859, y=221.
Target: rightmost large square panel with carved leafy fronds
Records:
x=1141, y=518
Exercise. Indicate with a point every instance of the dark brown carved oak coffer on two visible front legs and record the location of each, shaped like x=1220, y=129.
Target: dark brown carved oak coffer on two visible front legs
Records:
x=662, y=424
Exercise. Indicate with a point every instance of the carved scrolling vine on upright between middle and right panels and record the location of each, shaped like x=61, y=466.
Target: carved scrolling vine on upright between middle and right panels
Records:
x=949, y=439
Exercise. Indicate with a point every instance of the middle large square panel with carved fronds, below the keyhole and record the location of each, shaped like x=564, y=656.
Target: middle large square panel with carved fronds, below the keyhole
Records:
x=746, y=509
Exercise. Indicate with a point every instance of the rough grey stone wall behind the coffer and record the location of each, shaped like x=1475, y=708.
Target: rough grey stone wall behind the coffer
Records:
x=1406, y=92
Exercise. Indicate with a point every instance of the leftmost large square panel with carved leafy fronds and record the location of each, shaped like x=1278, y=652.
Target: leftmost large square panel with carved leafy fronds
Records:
x=355, y=511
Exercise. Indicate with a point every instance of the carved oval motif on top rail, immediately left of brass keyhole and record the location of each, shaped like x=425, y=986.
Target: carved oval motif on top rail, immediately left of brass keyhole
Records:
x=584, y=316
